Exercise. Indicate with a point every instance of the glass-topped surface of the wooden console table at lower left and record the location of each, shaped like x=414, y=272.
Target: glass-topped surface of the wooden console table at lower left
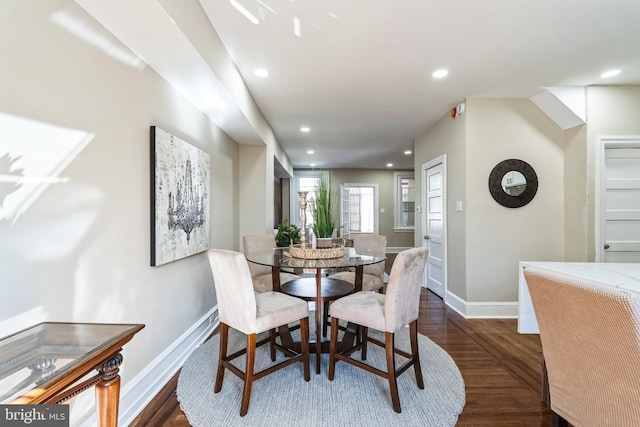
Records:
x=45, y=351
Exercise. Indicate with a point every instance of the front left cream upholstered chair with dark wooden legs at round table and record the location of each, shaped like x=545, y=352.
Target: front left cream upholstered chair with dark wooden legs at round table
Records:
x=251, y=313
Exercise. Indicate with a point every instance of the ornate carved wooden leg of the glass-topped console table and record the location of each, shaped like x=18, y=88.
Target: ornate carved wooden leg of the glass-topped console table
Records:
x=108, y=392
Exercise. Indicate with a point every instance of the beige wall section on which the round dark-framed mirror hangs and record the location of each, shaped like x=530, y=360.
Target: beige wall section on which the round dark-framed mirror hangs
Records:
x=498, y=238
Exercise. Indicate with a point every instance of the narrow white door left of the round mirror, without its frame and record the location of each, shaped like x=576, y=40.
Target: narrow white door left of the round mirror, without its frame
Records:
x=433, y=227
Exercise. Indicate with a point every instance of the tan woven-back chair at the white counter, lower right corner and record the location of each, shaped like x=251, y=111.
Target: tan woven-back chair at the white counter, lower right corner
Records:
x=590, y=337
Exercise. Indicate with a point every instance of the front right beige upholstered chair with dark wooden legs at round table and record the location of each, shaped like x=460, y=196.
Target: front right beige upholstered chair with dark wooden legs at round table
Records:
x=388, y=313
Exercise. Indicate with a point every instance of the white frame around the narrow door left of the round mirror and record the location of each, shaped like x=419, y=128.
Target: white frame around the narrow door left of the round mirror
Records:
x=442, y=159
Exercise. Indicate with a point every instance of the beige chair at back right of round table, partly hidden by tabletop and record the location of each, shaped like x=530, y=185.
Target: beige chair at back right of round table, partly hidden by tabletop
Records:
x=373, y=275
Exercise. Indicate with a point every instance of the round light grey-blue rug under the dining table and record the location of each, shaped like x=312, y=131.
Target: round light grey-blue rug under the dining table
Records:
x=354, y=398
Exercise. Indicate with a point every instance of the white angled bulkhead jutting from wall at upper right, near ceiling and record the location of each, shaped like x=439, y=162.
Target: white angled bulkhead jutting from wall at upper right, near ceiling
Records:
x=565, y=105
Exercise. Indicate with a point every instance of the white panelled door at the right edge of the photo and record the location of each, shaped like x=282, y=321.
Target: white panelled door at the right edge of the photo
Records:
x=620, y=196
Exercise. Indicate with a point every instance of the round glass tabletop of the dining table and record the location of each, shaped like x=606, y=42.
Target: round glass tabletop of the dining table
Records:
x=279, y=257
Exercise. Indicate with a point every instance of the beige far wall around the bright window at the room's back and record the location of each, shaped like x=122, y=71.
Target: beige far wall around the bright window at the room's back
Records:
x=385, y=180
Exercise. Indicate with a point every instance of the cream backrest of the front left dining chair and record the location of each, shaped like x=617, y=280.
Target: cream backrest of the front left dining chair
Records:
x=234, y=289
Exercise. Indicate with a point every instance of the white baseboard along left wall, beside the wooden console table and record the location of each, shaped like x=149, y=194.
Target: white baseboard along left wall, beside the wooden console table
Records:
x=138, y=392
